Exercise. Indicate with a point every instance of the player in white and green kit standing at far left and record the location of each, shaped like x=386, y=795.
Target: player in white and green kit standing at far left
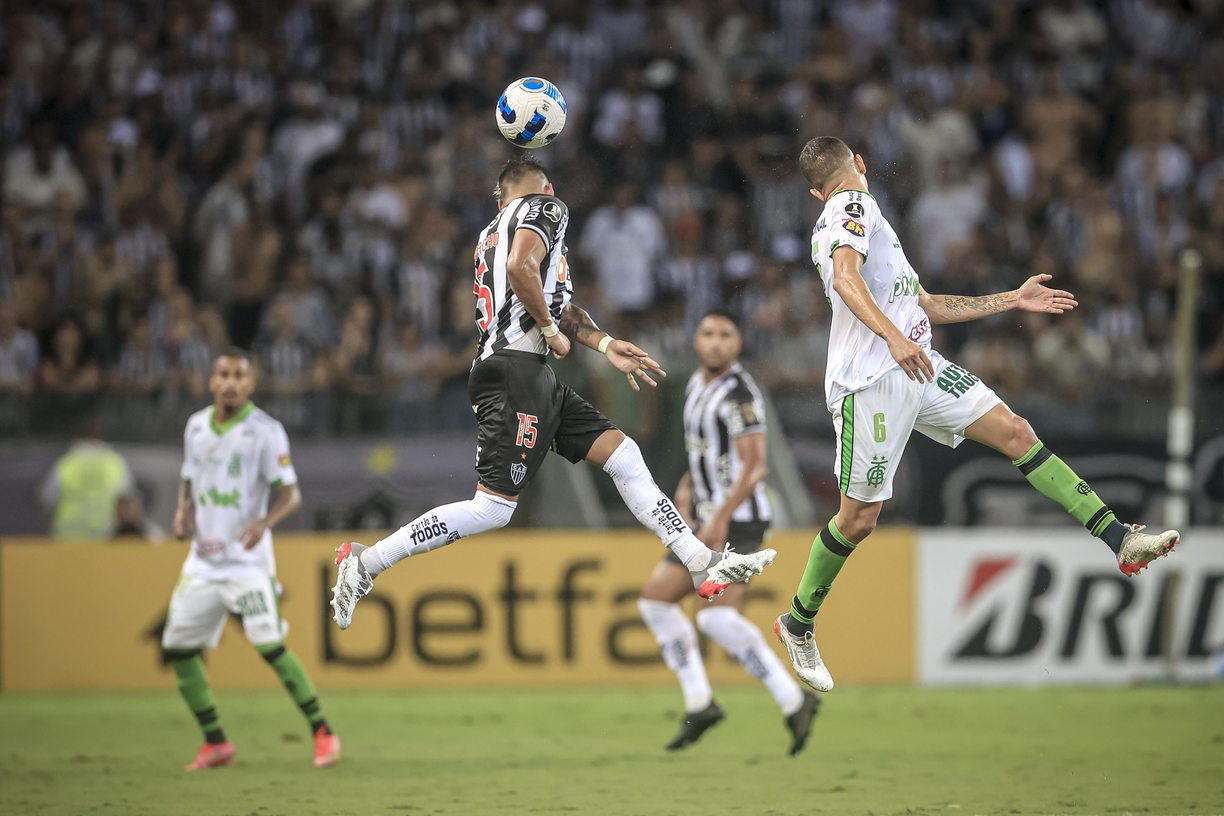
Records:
x=236, y=457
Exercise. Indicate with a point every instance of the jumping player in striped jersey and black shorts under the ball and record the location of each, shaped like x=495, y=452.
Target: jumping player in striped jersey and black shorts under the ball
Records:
x=523, y=311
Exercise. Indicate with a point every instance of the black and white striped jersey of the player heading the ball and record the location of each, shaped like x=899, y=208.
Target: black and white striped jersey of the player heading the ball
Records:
x=501, y=317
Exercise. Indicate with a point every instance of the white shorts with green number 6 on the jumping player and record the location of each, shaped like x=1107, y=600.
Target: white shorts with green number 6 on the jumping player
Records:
x=875, y=425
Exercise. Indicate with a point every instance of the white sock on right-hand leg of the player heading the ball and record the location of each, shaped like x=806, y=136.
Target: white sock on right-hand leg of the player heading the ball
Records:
x=652, y=507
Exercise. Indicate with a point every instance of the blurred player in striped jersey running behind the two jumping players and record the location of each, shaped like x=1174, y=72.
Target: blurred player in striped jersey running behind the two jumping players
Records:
x=723, y=497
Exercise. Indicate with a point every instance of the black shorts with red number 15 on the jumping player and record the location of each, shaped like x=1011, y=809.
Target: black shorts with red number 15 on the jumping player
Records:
x=523, y=413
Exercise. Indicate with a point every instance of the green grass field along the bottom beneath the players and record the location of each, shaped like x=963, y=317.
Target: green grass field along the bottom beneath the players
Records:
x=599, y=752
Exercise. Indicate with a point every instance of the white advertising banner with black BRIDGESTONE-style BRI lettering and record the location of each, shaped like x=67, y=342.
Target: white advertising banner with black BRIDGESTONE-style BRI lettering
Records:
x=1051, y=606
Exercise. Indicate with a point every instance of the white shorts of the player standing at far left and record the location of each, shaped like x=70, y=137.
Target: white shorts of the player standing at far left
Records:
x=199, y=610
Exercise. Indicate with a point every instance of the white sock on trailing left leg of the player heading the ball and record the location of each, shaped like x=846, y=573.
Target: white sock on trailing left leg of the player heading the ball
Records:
x=439, y=528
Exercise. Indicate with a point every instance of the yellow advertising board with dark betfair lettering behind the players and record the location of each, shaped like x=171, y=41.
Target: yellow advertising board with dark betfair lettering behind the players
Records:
x=515, y=609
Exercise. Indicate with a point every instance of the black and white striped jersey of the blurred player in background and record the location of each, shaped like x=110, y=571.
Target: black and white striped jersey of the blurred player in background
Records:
x=718, y=413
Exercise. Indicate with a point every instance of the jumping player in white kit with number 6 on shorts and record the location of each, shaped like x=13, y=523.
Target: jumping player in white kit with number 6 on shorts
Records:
x=886, y=381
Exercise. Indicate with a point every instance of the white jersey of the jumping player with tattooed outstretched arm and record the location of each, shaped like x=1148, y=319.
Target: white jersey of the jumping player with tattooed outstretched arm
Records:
x=857, y=358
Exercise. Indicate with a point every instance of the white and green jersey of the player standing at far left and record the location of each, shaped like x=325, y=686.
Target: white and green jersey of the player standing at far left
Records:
x=233, y=469
